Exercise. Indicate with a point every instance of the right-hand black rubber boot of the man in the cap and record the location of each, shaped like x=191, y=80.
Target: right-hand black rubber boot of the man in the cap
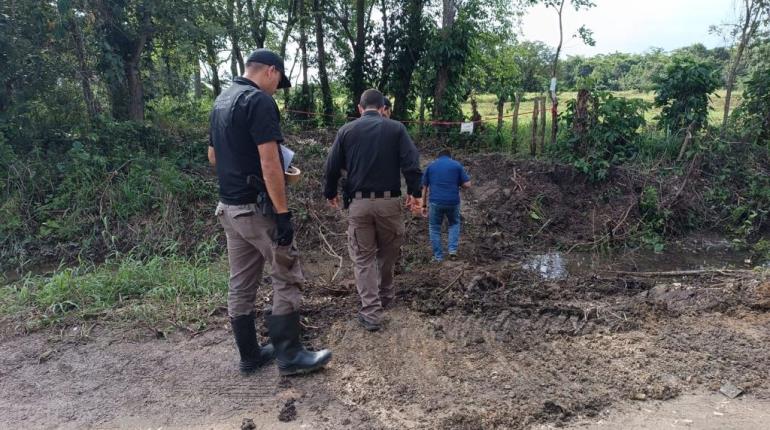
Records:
x=292, y=357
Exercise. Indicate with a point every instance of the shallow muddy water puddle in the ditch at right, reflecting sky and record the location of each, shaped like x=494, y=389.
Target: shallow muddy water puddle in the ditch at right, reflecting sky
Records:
x=690, y=254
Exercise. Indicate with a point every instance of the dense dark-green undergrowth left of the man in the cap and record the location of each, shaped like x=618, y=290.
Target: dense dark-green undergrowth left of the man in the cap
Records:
x=116, y=187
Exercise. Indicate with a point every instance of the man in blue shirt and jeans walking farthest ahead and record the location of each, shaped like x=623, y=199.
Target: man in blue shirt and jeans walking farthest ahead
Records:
x=441, y=185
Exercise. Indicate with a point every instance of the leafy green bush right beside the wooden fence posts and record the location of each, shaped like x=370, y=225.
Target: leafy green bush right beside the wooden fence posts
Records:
x=601, y=131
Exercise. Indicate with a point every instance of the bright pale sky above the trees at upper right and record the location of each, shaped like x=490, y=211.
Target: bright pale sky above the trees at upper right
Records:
x=632, y=26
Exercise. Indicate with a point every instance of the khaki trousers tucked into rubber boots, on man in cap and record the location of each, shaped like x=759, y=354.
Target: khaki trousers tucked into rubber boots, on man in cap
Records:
x=249, y=245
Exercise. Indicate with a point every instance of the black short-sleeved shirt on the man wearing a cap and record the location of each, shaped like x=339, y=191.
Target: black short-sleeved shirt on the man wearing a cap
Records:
x=243, y=117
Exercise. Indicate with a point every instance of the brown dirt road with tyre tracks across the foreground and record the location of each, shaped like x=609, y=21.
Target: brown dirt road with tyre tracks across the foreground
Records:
x=453, y=370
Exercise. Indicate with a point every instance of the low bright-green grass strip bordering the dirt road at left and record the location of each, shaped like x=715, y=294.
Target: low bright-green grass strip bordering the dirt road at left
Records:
x=160, y=291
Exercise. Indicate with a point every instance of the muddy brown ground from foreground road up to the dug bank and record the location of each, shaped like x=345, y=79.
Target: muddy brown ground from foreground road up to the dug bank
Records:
x=477, y=343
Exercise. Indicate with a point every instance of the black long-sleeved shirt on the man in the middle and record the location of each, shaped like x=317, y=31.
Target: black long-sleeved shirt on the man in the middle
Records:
x=373, y=150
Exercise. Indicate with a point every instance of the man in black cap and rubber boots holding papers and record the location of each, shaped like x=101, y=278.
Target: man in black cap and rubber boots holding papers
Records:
x=244, y=145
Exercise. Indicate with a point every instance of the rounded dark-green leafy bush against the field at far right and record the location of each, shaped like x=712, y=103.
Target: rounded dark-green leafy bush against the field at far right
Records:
x=683, y=92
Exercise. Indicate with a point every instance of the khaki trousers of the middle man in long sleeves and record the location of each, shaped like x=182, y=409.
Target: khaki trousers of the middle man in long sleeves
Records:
x=375, y=234
